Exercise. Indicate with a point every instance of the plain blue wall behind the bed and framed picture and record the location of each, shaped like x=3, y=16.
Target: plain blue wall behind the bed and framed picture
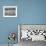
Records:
x=29, y=12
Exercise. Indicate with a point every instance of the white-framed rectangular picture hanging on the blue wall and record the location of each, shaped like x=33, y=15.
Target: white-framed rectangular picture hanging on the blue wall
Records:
x=9, y=11
